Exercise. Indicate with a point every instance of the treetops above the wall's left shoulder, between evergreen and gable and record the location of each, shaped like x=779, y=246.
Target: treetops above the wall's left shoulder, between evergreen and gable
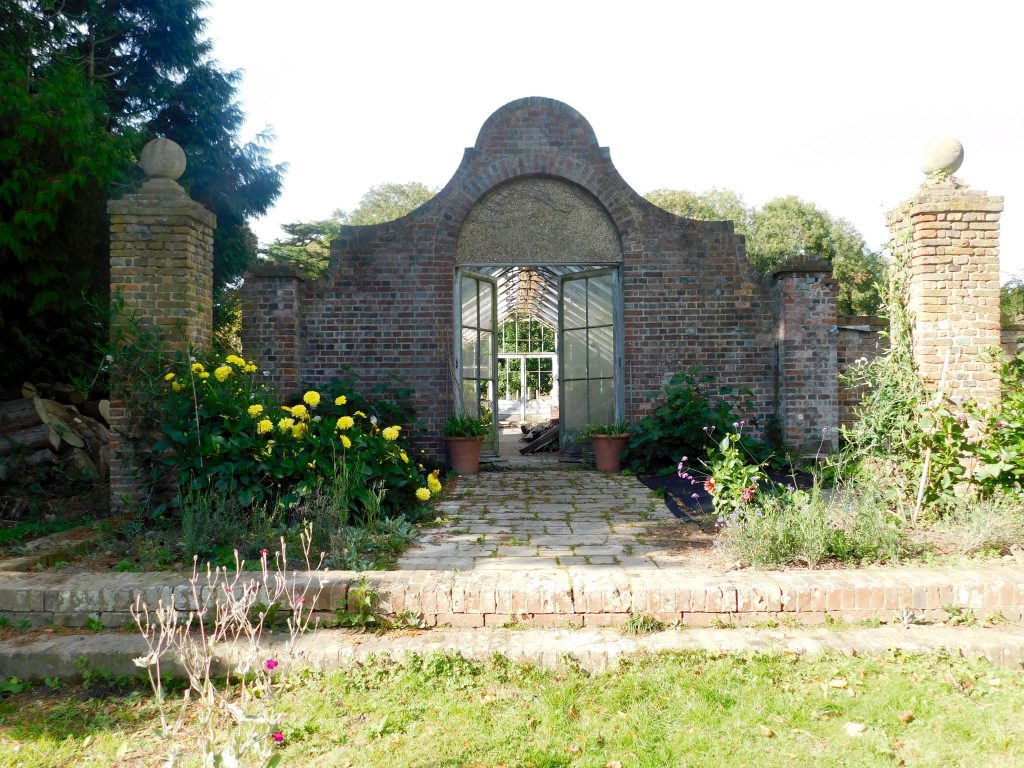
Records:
x=308, y=247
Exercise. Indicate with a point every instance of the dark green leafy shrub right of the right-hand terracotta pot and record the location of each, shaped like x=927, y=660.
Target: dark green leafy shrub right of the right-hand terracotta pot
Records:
x=677, y=426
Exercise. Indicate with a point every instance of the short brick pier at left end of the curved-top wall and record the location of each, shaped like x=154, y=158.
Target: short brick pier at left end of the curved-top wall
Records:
x=272, y=304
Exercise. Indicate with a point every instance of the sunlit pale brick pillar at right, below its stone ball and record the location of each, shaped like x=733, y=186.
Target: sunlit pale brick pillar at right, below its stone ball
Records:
x=947, y=257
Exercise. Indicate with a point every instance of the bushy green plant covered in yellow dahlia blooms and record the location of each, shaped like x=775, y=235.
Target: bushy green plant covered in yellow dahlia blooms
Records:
x=223, y=431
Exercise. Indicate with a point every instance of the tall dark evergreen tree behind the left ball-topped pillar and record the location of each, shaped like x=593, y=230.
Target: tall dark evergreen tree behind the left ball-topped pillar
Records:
x=86, y=83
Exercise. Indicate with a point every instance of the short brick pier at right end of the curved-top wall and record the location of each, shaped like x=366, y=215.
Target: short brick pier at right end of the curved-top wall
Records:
x=807, y=372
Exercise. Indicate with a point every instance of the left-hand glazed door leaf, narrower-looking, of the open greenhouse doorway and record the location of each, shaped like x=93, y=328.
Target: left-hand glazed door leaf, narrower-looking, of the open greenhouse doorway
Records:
x=477, y=353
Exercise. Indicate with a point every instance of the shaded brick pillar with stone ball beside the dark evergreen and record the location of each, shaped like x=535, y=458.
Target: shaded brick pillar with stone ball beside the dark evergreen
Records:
x=162, y=270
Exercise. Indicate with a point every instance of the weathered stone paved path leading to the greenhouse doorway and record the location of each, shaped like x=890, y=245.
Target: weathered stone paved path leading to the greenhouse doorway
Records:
x=542, y=520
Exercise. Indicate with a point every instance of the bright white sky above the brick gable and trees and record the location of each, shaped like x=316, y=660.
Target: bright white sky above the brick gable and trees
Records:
x=830, y=102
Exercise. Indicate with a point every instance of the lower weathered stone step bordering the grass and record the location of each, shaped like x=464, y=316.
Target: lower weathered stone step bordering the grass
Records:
x=593, y=650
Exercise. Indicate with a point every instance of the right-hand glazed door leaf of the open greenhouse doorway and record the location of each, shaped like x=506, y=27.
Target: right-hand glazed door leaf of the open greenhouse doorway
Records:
x=588, y=351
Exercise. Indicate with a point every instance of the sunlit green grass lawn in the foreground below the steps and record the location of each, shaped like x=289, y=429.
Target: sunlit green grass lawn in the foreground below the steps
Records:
x=678, y=710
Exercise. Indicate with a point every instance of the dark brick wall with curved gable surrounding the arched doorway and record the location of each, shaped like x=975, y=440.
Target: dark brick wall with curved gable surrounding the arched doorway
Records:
x=386, y=306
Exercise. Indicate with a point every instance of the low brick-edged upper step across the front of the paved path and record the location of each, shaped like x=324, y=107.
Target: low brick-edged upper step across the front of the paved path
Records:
x=576, y=596
